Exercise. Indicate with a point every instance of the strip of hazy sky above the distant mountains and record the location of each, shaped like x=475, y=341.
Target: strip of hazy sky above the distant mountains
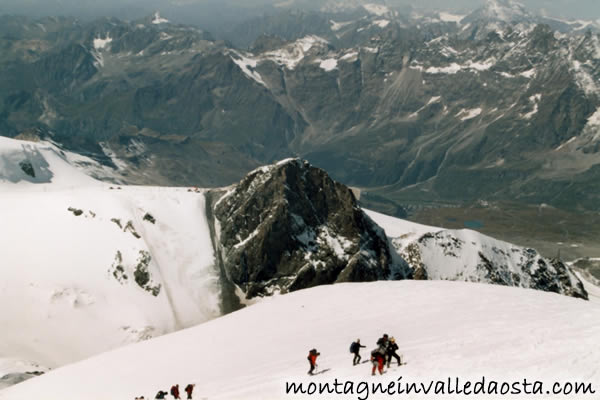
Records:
x=588, y=9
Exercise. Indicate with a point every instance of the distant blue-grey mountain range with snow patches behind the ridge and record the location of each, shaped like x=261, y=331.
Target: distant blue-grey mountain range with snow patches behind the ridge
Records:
x=435, y=108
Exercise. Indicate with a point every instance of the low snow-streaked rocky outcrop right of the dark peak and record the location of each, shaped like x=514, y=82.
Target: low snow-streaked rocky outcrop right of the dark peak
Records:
x=470, y=256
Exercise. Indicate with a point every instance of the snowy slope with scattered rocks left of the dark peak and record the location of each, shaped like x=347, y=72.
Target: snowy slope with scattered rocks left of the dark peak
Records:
x=83, y=271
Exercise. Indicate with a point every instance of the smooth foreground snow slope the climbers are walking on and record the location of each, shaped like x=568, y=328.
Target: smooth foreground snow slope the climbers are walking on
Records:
x=507, y=333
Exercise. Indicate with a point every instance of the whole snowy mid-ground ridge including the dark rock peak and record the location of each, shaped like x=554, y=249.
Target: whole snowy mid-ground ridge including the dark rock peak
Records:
x=76, y=249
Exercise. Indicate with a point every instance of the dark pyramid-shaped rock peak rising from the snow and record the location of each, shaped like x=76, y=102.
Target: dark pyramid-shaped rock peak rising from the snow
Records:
x=289, y=226
